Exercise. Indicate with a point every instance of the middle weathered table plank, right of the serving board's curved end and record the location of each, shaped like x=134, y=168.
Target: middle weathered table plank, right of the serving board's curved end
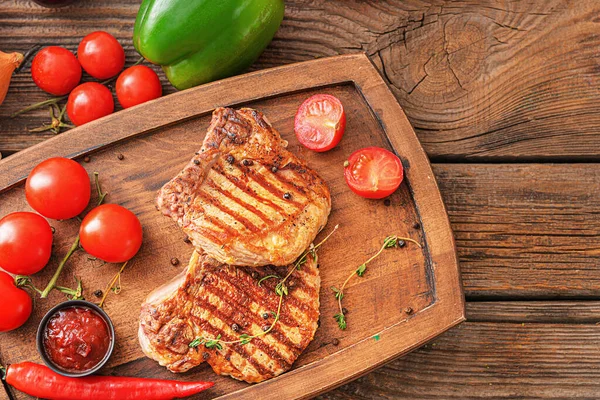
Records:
x=525, y=230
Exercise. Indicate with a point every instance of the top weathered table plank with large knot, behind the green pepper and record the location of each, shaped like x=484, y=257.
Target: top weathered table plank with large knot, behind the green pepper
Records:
x=490, y=80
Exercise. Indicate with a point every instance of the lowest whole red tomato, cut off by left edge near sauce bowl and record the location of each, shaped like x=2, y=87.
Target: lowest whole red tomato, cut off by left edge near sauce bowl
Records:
x=15, y=304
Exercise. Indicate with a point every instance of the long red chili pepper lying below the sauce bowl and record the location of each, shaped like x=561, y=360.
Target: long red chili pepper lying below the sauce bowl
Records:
x=40, y=381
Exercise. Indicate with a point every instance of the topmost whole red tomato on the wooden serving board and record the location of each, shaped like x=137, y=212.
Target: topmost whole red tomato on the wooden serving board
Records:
x=58, y=188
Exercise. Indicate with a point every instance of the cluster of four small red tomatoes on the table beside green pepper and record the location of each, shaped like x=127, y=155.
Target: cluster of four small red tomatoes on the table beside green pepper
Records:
x=57, y=71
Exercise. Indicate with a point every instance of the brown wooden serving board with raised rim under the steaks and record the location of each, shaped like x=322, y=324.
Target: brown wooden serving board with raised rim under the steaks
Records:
x=407, y=296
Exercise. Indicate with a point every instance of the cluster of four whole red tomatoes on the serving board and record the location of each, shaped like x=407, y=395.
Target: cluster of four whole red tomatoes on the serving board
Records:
x=58, y=188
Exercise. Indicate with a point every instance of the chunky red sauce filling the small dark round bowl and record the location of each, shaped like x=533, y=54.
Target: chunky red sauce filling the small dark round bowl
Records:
x=76, y=339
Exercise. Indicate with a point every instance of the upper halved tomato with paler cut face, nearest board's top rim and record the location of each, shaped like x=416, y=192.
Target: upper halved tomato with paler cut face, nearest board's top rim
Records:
x=320, y=122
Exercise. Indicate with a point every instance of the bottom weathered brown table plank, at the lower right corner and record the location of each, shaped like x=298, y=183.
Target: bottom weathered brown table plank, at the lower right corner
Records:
x=491, y=361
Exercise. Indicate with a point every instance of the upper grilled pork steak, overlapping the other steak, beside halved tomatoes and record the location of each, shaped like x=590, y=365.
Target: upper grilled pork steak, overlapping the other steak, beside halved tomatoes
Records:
x=243, y=198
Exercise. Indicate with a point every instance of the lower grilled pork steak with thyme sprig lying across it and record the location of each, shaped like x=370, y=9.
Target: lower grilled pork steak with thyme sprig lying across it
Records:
x=211, y=299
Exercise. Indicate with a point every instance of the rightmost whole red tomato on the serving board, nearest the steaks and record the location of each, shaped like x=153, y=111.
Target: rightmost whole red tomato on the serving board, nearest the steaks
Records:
x=111, y=233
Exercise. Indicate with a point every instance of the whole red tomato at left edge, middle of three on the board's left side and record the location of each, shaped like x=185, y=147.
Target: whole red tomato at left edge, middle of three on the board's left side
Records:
x=25, y=243
